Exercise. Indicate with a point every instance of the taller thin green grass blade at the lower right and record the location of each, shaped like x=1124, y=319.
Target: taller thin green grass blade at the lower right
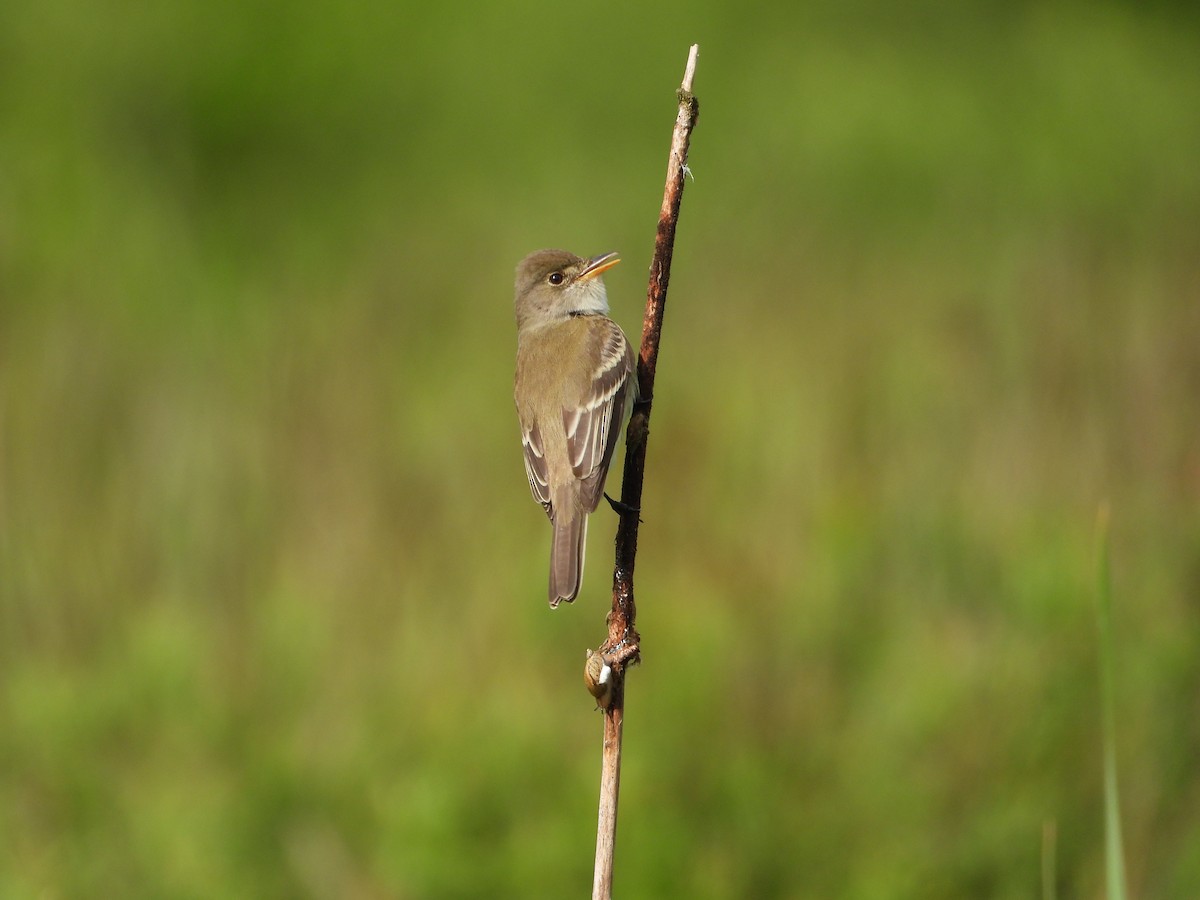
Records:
x=1114, y=853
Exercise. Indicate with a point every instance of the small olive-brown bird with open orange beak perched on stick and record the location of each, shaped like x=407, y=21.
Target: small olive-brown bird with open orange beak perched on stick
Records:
x=574, y=387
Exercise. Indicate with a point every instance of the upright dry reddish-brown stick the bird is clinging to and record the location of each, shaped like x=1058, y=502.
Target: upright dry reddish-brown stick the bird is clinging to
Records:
x=622, y=650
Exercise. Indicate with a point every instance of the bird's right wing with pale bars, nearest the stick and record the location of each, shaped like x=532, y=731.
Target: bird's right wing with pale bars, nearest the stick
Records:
x=595, y=425
